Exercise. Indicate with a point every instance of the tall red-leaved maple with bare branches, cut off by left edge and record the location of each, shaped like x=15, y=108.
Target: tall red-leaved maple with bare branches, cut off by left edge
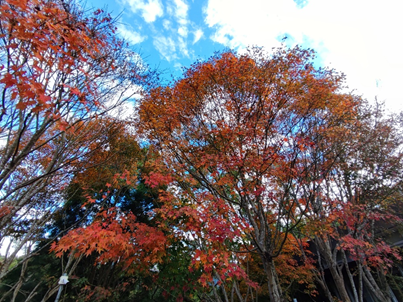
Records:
x=60, y=69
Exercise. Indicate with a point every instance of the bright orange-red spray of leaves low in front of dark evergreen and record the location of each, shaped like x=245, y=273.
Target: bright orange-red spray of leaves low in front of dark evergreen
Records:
x=115, y=236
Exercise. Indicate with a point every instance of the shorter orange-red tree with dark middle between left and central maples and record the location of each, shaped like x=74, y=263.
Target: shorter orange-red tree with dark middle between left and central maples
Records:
x=116, y=232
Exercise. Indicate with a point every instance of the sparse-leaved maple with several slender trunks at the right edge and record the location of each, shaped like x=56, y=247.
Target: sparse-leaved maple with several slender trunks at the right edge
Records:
x=354, y=204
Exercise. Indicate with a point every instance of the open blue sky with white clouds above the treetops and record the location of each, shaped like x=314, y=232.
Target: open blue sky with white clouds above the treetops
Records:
x=361, y=38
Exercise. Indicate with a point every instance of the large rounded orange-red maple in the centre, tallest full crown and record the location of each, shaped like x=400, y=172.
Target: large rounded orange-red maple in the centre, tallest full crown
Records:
x=239, y=133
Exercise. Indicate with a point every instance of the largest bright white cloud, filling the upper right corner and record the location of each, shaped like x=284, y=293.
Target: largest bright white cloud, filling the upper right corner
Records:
x=355, y=37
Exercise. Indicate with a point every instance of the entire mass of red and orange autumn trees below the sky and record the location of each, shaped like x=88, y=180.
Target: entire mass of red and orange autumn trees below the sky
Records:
x=254, y=176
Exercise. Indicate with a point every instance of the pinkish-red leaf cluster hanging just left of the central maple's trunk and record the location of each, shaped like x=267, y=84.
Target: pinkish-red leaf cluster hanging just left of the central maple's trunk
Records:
x=209, y=226
